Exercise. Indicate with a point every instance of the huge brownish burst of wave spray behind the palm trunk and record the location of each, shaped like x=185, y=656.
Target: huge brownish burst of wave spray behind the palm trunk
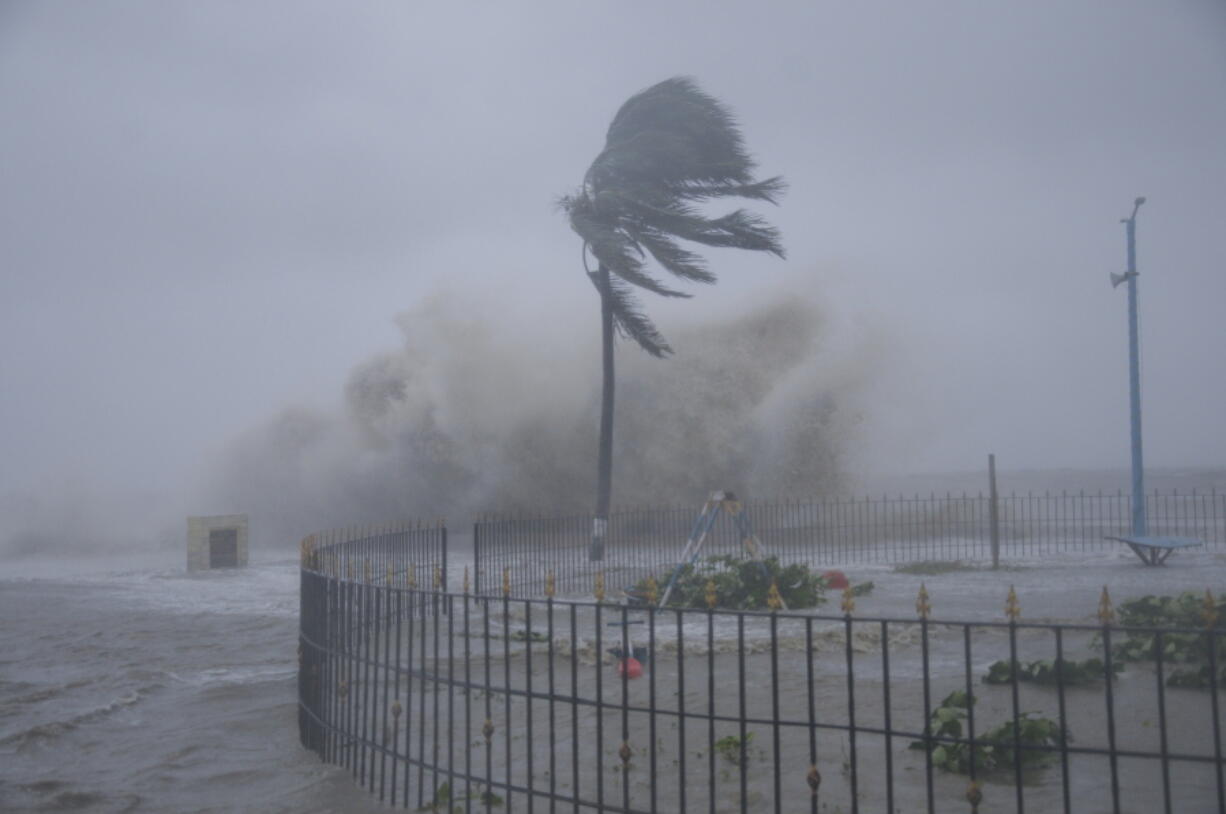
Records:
x=463, y=420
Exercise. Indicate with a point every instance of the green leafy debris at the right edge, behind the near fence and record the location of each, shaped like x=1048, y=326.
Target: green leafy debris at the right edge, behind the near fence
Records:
x=1191, y=647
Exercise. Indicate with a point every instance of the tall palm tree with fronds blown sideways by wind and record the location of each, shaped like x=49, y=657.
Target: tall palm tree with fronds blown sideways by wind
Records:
x=670, y=150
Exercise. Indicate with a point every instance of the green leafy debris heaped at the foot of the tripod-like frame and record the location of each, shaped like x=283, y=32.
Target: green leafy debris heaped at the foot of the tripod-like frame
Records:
x=741, y=584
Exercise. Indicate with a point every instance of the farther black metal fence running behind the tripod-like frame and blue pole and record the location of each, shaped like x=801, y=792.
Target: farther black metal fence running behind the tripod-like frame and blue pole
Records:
x=645, y=542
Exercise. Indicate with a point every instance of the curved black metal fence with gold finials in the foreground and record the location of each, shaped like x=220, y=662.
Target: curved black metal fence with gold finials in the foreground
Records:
x=447, y=702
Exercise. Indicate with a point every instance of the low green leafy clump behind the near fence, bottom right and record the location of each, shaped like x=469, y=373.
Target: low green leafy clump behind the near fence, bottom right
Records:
x=995, y=750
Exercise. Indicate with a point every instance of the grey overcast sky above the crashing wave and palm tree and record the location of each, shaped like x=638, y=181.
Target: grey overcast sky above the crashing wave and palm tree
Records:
x=210, y=211
